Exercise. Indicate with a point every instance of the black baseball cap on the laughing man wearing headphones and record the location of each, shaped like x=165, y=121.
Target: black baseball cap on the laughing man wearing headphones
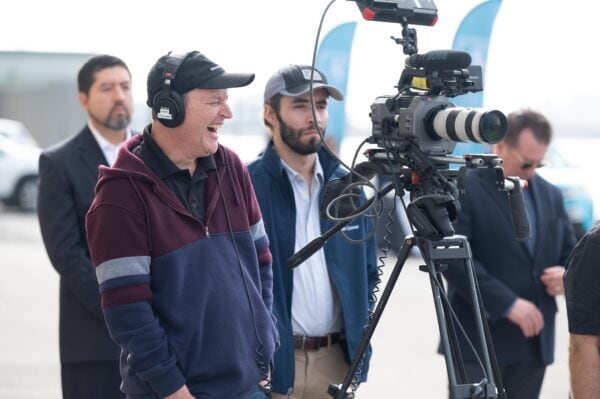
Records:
x=195, y=71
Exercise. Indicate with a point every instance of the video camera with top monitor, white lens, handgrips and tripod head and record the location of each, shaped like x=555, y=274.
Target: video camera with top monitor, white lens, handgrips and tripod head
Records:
x=418, y=128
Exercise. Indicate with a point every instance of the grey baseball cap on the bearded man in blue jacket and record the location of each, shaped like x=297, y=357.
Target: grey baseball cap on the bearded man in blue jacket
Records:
x=294, y=80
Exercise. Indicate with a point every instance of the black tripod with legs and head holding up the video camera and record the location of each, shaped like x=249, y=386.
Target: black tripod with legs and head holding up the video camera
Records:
x=431, y=212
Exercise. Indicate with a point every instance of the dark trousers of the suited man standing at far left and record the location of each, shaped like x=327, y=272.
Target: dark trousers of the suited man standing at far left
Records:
x=91, y=380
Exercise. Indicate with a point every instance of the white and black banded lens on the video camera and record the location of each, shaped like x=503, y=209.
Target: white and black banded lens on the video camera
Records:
x=468, y=125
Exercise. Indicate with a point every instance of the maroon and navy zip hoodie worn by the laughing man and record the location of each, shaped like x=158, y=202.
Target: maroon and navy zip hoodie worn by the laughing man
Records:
x=188, y=302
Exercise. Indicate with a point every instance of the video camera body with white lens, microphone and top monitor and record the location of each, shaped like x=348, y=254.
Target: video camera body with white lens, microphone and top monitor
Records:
x=421, y=110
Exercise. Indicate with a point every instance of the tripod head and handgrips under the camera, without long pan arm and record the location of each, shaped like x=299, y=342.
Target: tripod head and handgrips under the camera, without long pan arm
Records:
x=434, y=187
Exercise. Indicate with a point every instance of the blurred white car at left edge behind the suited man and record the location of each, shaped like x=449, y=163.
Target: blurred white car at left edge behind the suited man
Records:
x=18, y=173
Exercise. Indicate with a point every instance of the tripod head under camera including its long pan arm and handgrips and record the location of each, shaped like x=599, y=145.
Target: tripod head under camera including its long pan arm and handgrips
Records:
x=434, y=192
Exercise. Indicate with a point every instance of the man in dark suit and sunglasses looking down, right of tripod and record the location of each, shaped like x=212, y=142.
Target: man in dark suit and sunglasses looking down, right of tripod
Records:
x=518, y=280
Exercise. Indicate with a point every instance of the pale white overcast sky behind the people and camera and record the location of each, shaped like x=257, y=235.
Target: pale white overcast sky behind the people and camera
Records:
x=539, y=54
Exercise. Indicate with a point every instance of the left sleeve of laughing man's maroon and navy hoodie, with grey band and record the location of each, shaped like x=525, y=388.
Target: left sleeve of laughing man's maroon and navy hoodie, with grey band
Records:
x=118, y=240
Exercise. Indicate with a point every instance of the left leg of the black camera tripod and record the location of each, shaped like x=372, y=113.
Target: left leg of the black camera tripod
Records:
x=341, y=392
